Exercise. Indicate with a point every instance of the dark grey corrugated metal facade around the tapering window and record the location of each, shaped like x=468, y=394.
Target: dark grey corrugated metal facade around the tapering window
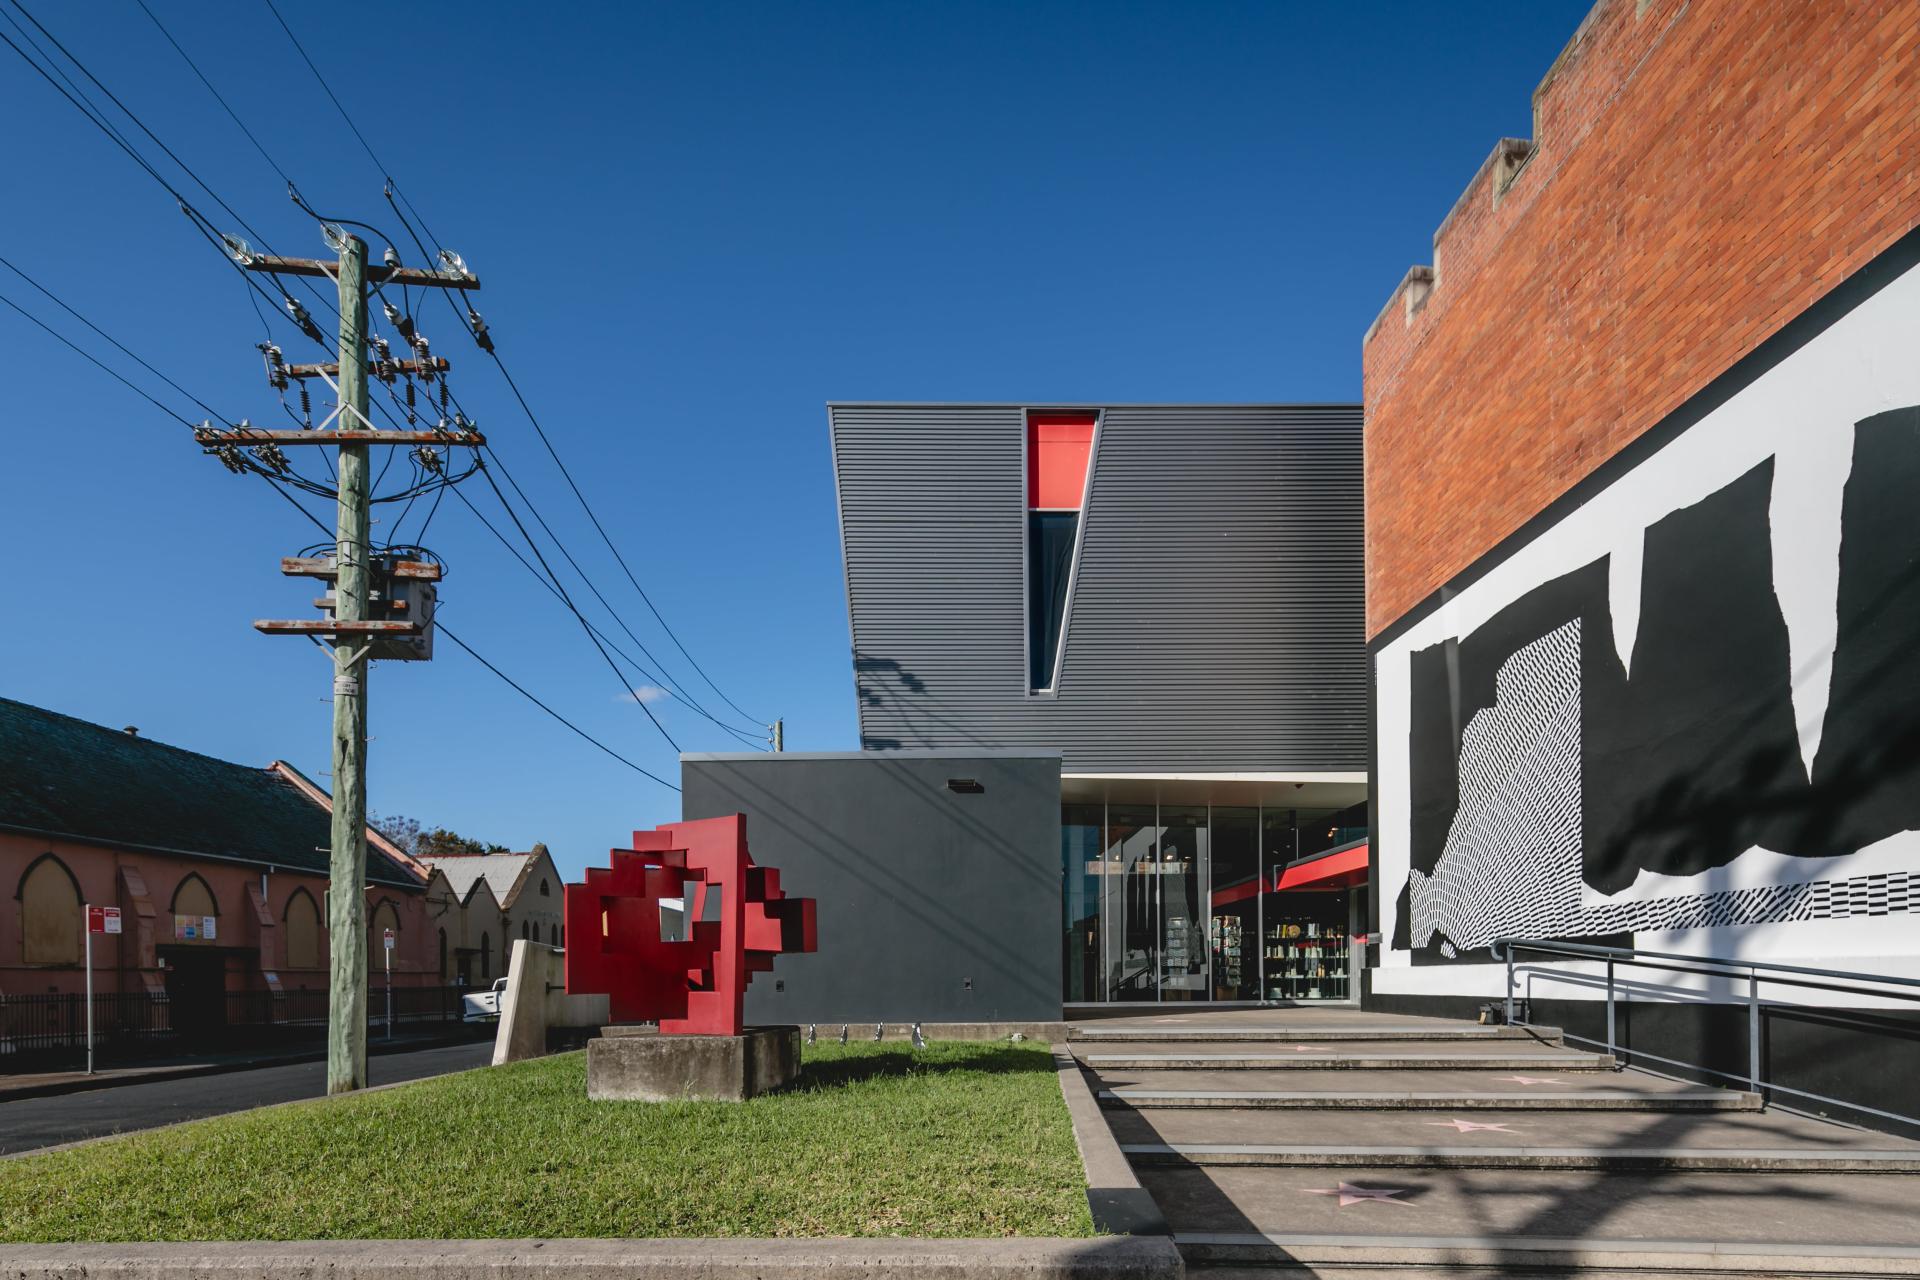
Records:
x=1216, y=613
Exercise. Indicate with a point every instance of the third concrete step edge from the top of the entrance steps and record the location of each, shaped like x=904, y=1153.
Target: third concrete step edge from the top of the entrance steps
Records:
x=1143, y=1097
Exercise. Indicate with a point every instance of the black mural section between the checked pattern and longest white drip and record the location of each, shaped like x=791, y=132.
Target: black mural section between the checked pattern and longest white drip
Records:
x=1692, y=759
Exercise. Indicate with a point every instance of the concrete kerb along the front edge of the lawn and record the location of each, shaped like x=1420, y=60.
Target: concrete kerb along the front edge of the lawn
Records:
x=1115, y=1258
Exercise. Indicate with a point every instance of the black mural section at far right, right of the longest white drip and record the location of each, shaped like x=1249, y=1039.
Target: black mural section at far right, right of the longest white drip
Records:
x=1867, y=772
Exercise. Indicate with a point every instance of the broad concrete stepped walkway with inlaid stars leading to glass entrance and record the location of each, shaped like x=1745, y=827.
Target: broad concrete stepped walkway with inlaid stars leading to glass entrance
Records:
x=1370, y=1143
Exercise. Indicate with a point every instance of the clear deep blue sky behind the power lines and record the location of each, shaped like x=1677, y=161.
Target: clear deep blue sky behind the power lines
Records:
x=696, y=225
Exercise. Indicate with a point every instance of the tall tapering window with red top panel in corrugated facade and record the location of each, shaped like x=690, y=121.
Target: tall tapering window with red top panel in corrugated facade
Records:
x=1059, y=448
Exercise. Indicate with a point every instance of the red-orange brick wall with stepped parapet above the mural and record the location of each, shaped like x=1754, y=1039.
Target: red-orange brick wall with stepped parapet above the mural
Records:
x=1706, y=170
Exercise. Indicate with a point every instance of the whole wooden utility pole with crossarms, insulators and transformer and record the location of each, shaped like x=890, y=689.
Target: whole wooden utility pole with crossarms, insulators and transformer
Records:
x=354, y=630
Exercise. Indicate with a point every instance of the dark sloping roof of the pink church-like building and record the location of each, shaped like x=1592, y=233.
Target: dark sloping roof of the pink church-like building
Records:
x=72, y=780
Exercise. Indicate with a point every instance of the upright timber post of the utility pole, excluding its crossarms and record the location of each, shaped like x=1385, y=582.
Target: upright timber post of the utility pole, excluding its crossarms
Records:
x=347, y=916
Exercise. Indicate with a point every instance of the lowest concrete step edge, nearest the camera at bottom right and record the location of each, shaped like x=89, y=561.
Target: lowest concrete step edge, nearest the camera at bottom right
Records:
x=1255, y=1256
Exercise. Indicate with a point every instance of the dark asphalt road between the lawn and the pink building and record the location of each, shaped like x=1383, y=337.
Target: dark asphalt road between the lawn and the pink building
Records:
x=49, y=1122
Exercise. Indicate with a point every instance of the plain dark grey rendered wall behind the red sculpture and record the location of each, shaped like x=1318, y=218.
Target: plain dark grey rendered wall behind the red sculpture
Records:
x=932, y=907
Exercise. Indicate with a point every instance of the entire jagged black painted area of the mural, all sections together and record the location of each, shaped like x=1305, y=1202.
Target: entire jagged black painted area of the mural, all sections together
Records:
x=1696, y=757
